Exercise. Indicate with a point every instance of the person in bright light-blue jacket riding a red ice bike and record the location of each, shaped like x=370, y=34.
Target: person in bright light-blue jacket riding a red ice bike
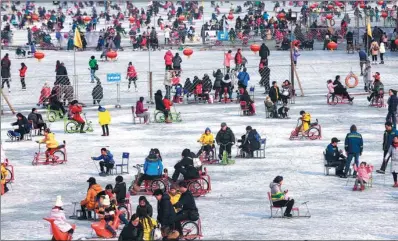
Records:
x=153, y=169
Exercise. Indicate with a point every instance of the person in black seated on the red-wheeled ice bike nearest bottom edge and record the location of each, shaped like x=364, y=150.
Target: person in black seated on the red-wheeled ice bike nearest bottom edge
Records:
x=187, y=204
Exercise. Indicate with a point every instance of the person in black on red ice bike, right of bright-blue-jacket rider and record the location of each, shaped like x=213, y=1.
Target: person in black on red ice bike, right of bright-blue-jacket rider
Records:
x=185, y=167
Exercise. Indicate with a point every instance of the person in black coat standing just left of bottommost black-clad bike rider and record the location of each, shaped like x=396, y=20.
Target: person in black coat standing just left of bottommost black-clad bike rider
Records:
x=166, y=213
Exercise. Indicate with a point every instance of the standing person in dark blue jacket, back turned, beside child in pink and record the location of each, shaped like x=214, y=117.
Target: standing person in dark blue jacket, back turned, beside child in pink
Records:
x=353, y=147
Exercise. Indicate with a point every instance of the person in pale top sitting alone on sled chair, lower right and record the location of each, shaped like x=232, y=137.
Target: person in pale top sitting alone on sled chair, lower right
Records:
x=279, y=198
